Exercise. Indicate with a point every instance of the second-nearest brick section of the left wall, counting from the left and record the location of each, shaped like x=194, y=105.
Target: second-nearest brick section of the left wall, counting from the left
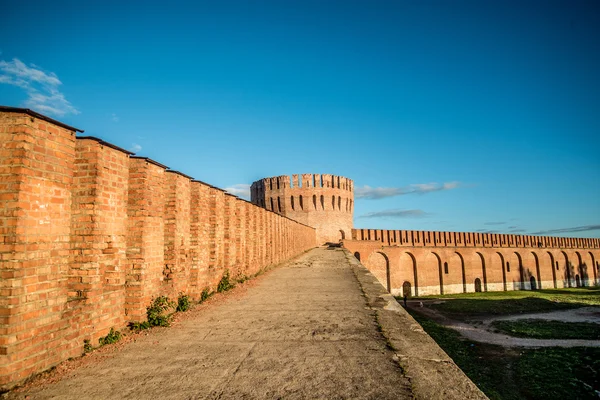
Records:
x=97, y=271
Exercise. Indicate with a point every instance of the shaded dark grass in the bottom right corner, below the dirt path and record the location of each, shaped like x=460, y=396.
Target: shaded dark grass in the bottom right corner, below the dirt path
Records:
x=502, y=373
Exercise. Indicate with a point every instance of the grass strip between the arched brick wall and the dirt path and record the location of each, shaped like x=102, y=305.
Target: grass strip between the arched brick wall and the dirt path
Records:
x=515, y=302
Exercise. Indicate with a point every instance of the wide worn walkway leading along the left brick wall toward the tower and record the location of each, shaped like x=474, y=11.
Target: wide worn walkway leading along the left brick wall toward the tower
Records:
x=303, y=331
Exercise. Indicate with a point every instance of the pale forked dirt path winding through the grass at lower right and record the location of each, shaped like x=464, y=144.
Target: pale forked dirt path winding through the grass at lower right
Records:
x=480, y=332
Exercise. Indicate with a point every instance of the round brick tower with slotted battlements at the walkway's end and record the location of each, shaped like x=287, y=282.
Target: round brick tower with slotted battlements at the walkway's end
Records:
x=325, y=202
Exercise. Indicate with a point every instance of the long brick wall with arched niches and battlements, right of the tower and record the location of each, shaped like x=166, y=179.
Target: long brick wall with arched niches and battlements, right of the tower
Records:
x=428, y=262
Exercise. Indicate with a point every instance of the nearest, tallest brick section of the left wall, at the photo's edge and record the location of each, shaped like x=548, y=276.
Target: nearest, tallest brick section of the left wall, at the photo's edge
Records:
x=37, y=167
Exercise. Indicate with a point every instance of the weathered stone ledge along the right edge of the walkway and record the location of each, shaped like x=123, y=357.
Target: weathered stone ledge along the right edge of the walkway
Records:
x=432, y=372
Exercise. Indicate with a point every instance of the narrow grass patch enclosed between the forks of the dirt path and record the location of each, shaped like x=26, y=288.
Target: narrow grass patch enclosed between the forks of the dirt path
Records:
x=546, y=329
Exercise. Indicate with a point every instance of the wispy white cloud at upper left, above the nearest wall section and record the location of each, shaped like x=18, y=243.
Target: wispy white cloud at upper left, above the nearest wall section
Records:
x=41, y=87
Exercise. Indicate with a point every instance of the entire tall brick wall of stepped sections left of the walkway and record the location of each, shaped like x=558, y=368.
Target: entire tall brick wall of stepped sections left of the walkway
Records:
x=91, y=234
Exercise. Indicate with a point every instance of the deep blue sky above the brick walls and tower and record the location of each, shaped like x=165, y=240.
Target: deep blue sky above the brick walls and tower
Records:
x=448, y=115
